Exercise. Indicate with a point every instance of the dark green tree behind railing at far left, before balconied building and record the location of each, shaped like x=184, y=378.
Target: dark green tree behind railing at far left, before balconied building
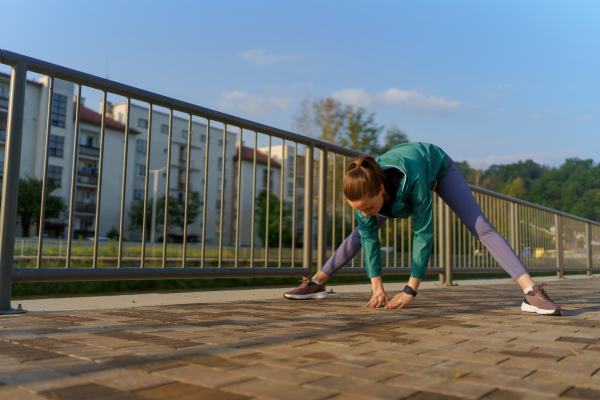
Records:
x=30, y=201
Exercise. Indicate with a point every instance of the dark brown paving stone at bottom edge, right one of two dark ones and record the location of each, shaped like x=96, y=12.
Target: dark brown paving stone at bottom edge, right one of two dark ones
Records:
x=185, y=391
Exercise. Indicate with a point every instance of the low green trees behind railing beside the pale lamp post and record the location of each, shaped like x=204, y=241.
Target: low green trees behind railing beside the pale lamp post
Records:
x=176, y=212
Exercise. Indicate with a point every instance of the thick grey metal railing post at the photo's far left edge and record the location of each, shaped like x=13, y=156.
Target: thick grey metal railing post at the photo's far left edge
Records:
x=10, y=186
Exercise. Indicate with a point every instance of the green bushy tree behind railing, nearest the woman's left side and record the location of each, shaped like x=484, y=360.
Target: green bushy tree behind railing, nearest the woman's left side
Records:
x=274, y=208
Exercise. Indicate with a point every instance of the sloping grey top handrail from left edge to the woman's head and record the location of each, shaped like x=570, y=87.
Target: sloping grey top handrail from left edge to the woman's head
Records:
x=71, y=75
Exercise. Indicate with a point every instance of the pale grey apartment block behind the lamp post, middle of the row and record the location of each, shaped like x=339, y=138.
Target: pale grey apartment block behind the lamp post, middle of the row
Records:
x=198, y=151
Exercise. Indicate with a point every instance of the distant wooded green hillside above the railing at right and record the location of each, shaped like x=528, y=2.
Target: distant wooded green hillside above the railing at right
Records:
x=574, y=187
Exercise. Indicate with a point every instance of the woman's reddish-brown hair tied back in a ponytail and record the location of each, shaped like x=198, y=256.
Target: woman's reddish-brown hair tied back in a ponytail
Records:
x=364, y=178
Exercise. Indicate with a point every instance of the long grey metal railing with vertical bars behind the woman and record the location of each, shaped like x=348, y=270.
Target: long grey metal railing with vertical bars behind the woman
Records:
x=546, y=240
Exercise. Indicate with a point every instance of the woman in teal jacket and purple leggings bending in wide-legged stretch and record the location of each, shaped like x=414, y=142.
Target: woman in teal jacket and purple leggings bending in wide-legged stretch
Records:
x=398, y=184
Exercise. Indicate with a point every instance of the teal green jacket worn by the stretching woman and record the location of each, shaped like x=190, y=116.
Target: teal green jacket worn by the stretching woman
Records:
x=422, y=164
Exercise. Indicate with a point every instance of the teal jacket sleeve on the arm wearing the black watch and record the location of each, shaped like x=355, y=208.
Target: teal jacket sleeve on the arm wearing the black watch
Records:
x=421, y=203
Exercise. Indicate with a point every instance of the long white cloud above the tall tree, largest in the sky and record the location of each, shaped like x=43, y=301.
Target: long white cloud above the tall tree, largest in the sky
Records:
x=413, y=100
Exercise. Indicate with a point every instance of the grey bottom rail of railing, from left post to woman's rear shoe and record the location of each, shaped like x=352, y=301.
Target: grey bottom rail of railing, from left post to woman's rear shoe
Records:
x=118, y=274
